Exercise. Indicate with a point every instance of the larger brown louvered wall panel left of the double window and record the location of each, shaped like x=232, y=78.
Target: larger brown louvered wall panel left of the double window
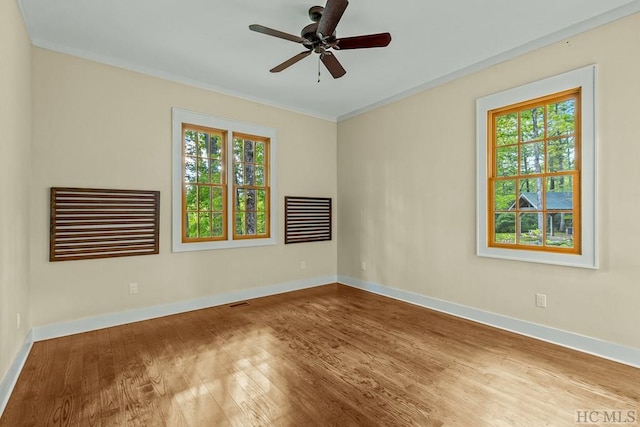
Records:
x=91, y=223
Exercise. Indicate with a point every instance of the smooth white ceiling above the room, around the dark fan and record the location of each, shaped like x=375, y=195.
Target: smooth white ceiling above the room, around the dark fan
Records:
x=207, y=43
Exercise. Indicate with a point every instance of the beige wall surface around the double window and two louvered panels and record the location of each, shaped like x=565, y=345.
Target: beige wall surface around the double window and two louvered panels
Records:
x=100, y=126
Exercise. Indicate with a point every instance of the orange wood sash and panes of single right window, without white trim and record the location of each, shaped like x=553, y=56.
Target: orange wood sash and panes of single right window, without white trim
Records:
x=534, y=178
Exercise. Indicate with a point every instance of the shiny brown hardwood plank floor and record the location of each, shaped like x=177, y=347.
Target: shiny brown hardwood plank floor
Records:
x=325, y=356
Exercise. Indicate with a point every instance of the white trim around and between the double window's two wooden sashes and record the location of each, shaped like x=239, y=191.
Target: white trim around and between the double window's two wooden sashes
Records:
x=180, y=116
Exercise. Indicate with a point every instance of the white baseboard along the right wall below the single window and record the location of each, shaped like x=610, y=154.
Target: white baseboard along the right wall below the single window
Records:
x=618, y=353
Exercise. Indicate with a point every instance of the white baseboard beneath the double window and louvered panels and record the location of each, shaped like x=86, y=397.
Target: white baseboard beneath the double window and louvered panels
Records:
x=115, y=319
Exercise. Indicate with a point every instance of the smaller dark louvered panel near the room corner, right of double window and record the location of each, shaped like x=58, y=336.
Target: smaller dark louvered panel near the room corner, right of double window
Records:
x=307, y=219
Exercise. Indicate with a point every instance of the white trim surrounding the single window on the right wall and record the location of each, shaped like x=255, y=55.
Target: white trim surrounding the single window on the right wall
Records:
x=584, y=78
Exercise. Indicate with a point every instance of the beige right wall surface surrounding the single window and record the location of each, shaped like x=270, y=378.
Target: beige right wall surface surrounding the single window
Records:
x=406, y=176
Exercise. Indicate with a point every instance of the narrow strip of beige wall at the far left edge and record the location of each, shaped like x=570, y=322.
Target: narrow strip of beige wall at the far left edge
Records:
x=15, y=171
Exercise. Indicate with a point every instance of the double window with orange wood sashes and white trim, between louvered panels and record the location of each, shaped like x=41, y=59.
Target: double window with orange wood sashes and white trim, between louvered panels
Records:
x=223, y=183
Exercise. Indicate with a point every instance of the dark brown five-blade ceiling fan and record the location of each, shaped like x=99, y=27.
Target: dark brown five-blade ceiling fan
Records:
x=320, y=37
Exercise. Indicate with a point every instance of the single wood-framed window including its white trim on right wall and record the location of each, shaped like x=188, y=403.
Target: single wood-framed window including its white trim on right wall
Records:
x=536, y=171
